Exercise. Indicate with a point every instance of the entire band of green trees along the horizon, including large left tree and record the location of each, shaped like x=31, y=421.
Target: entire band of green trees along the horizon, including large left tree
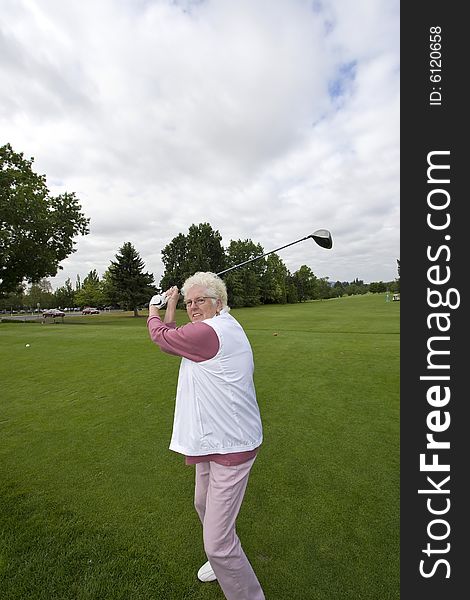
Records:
x=38, y=231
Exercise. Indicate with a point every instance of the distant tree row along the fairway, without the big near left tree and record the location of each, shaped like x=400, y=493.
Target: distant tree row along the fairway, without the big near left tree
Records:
x=126, y=285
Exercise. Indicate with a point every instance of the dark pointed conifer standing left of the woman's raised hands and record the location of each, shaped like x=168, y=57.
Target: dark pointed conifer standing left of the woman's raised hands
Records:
x=132, y=286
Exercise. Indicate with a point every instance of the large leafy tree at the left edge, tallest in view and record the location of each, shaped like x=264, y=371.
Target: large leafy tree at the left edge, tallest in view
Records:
x=37, y=229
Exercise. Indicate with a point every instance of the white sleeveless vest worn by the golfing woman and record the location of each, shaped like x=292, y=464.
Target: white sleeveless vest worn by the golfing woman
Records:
x=216, y=409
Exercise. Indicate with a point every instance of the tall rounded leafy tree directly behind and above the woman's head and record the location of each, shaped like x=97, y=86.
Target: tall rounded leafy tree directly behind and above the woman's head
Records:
x=200, y=250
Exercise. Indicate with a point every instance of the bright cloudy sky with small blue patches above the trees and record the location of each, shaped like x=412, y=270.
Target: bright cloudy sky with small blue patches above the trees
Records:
x=266, y=118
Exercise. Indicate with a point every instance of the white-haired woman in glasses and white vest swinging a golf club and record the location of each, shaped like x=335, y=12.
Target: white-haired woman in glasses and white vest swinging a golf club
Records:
x=217, y=424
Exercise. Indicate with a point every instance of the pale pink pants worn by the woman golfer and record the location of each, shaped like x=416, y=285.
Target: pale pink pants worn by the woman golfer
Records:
x=218, y=496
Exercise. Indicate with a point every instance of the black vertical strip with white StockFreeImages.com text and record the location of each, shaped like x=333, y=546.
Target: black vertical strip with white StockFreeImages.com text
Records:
x=434, y=408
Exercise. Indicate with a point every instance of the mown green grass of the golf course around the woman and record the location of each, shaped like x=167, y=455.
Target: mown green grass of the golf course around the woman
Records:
x=95, y=506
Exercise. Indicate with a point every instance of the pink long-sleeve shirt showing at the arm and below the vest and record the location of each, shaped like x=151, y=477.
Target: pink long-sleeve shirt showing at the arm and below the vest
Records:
x=196, y=342
